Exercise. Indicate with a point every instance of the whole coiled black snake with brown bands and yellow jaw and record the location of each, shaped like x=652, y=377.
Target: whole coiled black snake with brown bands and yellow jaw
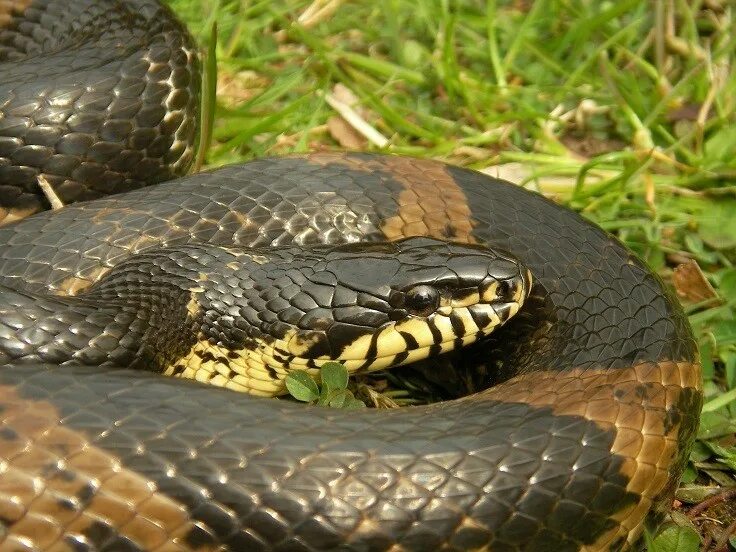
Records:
x=368, y=258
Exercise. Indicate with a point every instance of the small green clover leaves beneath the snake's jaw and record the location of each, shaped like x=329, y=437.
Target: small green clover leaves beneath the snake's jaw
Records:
x=333, y=391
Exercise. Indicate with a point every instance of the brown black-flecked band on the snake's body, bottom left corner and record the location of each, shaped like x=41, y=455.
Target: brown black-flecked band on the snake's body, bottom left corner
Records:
x=58, y=491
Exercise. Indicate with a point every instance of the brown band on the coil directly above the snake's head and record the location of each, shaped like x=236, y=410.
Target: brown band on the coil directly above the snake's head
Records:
x=431, y=203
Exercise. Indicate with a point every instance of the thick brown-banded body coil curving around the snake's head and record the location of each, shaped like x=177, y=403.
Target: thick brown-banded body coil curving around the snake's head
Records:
x=580, y=444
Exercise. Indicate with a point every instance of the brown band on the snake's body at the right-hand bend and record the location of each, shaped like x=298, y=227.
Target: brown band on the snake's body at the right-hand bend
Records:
x=645, y=407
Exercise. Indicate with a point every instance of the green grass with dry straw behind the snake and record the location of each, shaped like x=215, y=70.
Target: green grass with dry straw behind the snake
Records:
x=622, y=110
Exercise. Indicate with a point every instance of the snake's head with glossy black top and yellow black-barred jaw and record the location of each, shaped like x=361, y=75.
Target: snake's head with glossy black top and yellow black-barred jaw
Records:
x=368, y=306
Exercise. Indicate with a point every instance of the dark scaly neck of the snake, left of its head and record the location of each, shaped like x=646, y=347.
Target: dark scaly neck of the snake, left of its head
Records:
x=144, y=314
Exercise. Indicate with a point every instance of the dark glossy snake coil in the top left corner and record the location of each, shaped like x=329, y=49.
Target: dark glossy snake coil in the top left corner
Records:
x=105, y=100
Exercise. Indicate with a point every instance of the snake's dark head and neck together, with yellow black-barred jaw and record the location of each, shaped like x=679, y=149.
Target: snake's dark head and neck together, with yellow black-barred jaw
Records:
x=242, y=318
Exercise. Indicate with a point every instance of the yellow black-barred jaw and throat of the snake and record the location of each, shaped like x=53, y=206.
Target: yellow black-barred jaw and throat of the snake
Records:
x=462, y=318
